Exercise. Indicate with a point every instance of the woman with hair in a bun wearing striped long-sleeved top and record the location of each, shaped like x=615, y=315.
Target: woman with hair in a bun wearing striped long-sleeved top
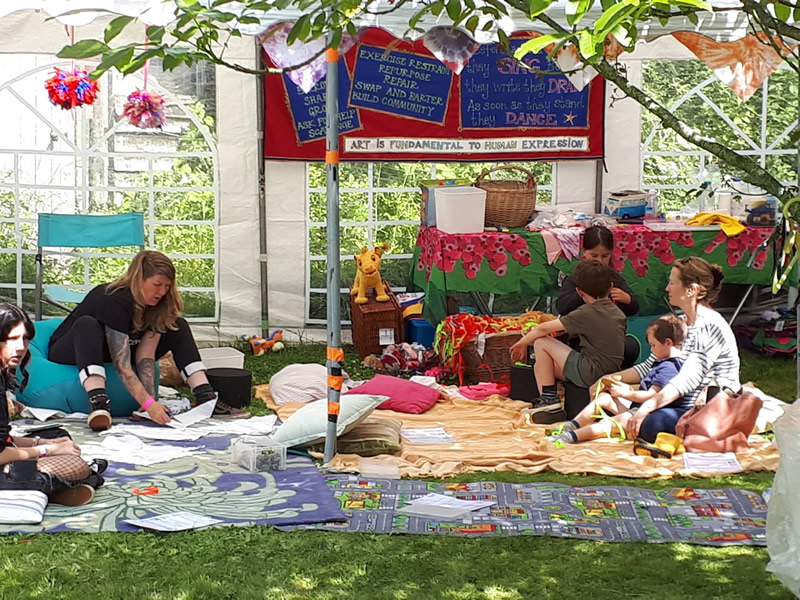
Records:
x=709, y=353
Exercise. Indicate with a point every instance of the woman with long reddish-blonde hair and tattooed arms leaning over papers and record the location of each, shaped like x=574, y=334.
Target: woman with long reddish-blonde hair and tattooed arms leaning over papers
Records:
x=132, y=322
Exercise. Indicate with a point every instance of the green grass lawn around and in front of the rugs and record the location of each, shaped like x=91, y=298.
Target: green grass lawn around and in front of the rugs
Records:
x=259, y=562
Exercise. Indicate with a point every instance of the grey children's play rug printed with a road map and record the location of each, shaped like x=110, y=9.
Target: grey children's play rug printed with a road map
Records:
x=611, y=514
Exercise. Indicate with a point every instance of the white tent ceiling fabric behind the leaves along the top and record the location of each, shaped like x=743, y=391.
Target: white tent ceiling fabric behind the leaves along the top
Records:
x=721, y=26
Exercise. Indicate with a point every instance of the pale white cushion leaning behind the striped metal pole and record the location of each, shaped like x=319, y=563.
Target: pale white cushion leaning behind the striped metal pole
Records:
x=308, y=425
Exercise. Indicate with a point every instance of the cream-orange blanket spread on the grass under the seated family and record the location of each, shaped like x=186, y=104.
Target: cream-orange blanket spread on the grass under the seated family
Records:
x=495, y=435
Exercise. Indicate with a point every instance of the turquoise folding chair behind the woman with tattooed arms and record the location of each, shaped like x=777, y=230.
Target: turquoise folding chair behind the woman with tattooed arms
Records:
x=81, y=231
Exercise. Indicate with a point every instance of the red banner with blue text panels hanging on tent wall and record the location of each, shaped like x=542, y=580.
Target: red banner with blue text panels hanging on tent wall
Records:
x=397, y=102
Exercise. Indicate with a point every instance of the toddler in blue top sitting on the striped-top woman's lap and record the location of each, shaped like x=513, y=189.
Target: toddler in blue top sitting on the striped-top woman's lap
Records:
x=665, y=336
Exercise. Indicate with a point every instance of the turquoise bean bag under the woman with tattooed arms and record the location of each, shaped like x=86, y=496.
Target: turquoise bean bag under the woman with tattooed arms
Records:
x=55, y=386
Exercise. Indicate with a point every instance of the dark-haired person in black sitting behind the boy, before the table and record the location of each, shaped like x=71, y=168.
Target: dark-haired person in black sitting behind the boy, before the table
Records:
x=598, y=244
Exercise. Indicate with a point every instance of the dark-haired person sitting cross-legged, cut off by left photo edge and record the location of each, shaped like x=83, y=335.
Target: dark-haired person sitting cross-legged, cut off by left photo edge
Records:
x=53, y=466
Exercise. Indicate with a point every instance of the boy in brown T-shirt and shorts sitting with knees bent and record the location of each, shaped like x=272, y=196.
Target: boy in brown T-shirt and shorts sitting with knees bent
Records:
x=599, y=325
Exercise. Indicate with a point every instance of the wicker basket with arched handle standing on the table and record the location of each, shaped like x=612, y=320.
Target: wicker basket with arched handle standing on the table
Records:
x=509, y=202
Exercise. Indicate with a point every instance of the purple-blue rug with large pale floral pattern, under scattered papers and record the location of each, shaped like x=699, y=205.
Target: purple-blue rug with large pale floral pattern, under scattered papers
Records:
x=206, y=483
